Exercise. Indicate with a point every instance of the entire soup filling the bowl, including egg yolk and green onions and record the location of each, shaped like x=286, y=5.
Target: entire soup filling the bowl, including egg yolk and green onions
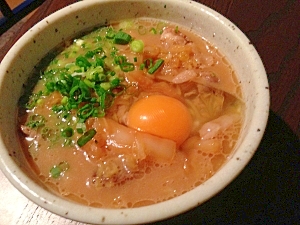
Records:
x=131, y=114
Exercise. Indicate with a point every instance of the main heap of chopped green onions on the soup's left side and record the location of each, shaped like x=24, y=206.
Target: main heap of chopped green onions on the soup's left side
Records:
x=87, y=82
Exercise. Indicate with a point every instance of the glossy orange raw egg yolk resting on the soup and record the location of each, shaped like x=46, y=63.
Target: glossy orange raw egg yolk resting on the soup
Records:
x=162, y=116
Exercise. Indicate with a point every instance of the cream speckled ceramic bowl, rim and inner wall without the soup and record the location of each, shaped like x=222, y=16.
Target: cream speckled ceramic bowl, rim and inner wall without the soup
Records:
x=48, y=33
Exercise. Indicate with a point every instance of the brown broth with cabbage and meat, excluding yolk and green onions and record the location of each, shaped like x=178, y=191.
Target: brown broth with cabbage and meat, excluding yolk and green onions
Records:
x=108, y=175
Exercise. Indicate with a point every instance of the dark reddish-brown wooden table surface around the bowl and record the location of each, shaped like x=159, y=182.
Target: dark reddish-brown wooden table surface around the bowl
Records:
x=267, y=192
